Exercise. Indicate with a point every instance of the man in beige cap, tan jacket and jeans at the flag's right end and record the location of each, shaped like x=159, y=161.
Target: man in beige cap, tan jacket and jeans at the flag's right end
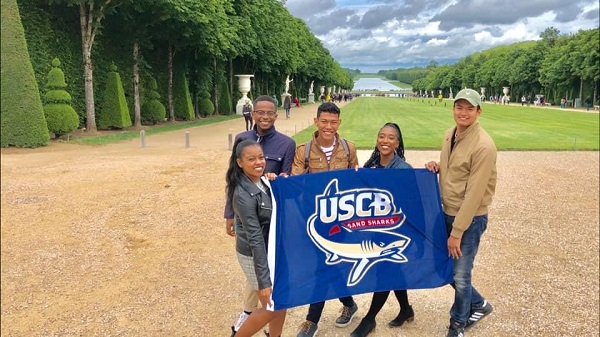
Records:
x=467, y=179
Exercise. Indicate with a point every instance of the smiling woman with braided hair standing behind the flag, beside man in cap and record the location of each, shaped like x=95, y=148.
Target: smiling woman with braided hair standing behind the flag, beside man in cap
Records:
x=388, y=154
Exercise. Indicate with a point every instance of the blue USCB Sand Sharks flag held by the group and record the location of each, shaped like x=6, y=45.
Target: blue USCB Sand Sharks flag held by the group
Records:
x=340, y=233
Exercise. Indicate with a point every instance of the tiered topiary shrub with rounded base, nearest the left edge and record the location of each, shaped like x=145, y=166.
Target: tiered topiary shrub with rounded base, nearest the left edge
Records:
x=60, y=115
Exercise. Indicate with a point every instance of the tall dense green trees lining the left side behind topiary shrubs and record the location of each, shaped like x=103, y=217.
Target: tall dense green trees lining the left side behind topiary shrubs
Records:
x=199, y=45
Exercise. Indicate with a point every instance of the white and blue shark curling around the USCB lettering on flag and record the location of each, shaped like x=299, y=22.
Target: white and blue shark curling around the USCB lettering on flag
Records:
x=364, y=253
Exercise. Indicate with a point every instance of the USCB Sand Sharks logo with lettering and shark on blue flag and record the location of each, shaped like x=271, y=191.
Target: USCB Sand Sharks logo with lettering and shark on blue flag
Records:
x=357, y=226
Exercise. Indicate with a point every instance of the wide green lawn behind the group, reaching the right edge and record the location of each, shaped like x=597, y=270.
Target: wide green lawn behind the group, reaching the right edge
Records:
x=423, y=122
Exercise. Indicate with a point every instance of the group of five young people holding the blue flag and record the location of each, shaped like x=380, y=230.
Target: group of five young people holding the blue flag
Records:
x=467, y=176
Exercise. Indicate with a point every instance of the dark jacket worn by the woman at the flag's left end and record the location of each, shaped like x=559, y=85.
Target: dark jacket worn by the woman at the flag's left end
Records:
x=252, y=209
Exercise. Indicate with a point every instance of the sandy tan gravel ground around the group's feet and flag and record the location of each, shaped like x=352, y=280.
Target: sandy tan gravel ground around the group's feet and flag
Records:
x=117, y=240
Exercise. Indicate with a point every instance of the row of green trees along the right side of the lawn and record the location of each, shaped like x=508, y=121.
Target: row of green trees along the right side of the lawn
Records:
x=557, y=66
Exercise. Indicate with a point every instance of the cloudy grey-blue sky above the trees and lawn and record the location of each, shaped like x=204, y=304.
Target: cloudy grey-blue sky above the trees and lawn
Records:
x=373, y=35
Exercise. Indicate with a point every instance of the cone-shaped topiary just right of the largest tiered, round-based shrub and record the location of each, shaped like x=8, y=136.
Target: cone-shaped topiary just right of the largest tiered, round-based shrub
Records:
x=114, y=112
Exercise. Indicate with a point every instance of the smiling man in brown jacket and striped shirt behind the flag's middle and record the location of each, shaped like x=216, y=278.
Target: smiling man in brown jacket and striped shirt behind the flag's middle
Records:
x=326, y=151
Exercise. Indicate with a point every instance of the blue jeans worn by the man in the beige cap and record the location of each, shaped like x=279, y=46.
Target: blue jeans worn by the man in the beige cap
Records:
x=465, y=295
